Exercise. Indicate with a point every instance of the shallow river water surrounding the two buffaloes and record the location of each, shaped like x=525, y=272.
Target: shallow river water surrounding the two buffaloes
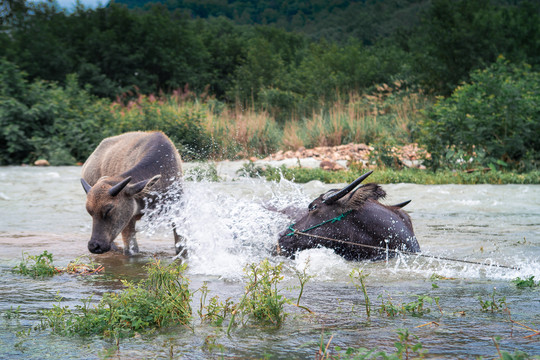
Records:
x=228, y=226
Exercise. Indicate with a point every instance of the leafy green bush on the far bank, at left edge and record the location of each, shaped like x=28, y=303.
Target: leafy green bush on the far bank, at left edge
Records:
x=44, y=120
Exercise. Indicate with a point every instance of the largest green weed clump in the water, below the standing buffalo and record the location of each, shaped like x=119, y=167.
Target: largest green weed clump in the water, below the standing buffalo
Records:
x=160, y=300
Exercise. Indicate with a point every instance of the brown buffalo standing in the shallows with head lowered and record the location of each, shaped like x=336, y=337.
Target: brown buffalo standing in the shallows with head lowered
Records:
x=123, y=173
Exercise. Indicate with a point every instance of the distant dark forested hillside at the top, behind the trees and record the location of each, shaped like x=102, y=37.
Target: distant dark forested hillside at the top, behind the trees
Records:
x=334, y=20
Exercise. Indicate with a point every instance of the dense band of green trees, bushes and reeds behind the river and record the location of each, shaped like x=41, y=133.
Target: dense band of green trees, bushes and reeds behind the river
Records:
x=69, y=79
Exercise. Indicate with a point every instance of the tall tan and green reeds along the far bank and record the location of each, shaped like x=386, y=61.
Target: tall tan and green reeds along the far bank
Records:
x=203, y=127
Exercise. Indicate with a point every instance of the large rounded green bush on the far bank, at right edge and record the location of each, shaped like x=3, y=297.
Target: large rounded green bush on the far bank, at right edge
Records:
x=492, y=122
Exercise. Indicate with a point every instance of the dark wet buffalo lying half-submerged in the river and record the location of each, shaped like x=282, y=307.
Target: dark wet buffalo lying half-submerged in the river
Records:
x=344, y=219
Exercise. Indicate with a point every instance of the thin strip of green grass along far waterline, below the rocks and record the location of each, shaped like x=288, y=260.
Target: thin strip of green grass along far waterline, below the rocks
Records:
x=387, y=176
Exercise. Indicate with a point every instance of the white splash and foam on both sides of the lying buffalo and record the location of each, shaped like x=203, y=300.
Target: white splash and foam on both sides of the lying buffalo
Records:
x=228, y=225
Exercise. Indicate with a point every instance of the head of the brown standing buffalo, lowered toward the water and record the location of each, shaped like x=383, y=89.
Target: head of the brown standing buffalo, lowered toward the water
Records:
x=114, y=205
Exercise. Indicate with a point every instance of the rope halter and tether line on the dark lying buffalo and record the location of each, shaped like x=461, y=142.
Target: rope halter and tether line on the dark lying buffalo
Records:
x=340, y=217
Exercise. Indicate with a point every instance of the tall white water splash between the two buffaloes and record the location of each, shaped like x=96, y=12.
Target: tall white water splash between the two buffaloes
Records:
x=226, y=225
